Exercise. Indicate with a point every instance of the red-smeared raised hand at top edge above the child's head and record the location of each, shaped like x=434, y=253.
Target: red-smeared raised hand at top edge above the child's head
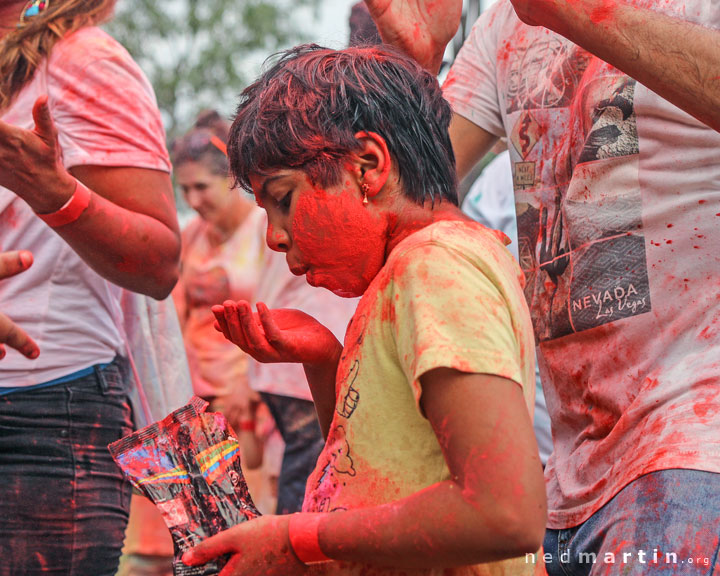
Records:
x=420, y=28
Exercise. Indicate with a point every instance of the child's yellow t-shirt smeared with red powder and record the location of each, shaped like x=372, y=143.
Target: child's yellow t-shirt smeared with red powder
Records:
x=450, y=295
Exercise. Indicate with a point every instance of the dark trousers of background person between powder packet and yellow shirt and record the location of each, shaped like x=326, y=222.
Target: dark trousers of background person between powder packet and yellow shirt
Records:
x=300, y=430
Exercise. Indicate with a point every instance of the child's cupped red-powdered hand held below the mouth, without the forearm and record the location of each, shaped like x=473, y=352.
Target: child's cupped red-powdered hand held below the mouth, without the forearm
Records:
x=279, y=335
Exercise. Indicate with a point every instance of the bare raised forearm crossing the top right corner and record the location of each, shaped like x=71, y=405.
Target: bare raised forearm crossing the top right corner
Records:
x=676, y=59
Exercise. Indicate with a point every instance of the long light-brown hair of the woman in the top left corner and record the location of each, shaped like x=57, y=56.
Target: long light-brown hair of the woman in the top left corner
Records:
x=23, y=49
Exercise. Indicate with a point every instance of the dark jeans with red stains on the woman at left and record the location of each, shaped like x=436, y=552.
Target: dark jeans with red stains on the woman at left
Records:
x=63, y=502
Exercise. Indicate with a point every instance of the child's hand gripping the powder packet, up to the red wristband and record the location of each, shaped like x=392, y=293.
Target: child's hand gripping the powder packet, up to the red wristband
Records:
x=258, y=547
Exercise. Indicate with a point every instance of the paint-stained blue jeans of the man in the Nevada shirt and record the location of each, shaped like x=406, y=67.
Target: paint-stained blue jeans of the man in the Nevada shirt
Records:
x=665, y=522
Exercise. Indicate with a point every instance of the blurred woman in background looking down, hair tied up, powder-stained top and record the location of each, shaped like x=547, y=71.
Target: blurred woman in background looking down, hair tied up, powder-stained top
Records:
x=223, y=255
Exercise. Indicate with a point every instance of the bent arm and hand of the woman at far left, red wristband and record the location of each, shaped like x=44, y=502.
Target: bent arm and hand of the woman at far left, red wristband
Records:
x=128, y=233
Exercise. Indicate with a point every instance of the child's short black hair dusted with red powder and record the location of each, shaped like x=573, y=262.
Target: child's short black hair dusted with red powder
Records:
x=304, y=112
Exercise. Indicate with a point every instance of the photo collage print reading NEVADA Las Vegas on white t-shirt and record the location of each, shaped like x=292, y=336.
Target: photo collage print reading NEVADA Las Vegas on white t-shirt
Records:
x=580, y=241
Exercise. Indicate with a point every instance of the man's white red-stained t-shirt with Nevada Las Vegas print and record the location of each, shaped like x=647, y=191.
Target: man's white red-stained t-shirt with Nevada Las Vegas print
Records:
x=617, y=194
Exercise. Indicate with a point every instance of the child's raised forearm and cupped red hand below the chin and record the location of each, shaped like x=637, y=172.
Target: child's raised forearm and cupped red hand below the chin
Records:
x=284, y=335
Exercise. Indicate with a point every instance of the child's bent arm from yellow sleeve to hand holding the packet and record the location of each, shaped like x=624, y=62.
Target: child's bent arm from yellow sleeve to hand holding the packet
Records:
x=492, y=508
